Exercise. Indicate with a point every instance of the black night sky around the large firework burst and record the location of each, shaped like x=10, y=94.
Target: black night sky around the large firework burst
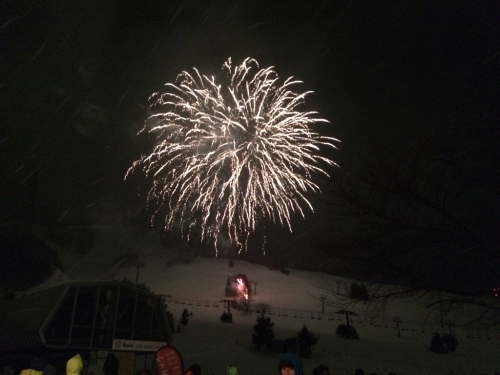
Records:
x=76, y=76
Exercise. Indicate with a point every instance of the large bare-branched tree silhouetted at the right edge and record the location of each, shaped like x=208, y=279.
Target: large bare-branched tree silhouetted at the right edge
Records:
x=424, y=214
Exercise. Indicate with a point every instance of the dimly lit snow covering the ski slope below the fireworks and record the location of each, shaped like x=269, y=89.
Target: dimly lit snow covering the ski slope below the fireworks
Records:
x=199, y=287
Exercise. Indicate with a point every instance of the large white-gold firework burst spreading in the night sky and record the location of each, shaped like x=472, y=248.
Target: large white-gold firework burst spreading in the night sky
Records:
x=229, y=156
